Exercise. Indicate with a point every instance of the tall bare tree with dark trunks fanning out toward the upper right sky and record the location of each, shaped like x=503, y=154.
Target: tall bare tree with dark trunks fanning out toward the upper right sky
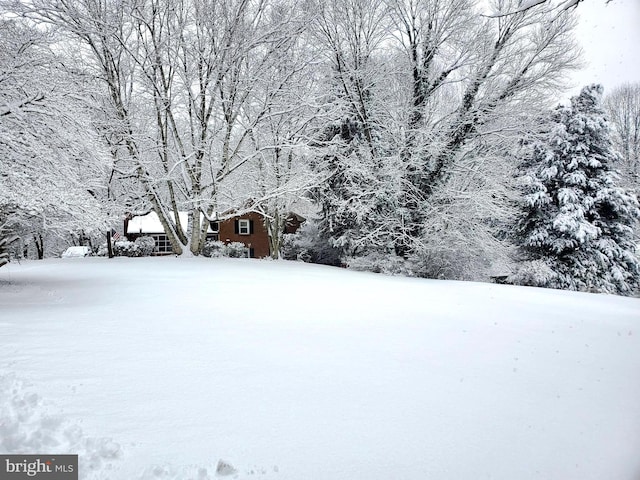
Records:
x=466, y=73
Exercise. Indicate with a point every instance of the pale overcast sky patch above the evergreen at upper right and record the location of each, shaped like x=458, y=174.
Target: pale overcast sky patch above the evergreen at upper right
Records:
x=610, y=36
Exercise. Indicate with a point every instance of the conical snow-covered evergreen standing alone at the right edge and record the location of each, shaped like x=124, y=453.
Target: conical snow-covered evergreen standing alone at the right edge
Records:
x=575, y=230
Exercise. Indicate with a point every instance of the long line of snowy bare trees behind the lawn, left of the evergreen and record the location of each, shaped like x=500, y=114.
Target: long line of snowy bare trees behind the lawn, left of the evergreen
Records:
x=398, y=121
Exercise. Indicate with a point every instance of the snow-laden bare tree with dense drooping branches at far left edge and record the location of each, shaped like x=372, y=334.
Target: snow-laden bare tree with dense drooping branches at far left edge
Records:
x=51, y=158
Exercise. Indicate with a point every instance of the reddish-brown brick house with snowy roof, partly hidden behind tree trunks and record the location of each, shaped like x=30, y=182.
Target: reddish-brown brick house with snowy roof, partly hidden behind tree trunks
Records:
x=248, y=229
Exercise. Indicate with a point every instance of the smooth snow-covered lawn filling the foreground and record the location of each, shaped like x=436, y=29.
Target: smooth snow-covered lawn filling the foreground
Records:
x=290, y=371
